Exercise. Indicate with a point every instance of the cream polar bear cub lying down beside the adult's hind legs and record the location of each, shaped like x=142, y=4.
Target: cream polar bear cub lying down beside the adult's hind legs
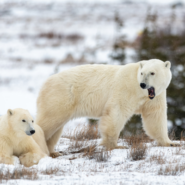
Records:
x=16, y=130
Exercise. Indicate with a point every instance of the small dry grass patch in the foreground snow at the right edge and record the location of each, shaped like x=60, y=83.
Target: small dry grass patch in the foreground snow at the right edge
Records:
x=171, y=169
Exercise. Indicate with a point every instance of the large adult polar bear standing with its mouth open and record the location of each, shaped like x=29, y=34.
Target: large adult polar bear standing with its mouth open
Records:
x=111, y=93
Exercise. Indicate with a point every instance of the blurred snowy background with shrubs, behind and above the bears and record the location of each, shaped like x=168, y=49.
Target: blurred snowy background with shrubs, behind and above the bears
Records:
x=41, y=37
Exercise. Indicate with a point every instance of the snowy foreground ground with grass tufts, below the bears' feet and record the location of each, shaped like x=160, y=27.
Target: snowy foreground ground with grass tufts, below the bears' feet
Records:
x=162, y=166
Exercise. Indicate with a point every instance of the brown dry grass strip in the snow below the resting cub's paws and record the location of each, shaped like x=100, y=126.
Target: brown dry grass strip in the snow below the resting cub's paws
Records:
x=18, y=173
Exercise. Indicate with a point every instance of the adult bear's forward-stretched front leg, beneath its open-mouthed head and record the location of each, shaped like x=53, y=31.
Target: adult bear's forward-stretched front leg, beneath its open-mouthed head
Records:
x=154, y=116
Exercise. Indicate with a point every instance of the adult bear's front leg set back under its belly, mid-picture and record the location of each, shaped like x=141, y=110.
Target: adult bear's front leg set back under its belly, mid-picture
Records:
x=111, y=124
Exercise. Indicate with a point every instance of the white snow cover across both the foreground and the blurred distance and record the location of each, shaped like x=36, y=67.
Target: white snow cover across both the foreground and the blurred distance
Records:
x=41, y=37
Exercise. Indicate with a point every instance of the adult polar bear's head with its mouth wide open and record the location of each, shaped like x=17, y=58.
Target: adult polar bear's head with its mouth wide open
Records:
x=154, y=76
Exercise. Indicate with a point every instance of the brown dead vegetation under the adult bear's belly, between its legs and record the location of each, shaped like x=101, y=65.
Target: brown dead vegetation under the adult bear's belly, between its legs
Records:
x=83, y=141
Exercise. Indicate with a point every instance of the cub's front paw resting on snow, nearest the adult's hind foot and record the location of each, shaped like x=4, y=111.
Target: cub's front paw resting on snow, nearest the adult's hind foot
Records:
x=30, y=159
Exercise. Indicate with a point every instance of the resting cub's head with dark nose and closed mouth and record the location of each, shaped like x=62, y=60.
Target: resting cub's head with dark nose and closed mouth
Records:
x=20, y=121
